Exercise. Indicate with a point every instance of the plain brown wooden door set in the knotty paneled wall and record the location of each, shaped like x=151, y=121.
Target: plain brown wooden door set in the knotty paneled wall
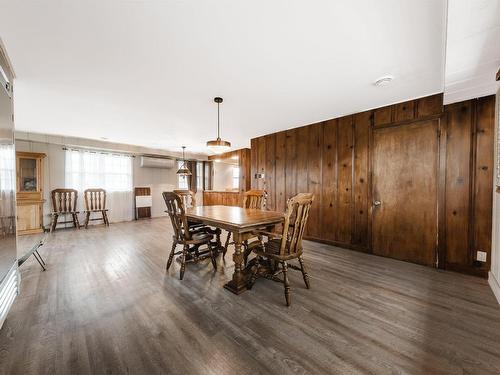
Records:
x=405, y=192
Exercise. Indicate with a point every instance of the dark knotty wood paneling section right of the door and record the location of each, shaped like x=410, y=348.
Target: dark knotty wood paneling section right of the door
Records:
x=469, y=183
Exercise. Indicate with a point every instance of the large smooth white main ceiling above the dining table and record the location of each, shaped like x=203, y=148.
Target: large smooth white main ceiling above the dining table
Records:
x=145, y=72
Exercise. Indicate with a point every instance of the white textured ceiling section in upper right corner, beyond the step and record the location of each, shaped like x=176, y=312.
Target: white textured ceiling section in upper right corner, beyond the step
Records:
x=472, y=49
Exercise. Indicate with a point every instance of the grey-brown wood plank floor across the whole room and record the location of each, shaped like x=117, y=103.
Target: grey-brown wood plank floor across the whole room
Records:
x=106, y=305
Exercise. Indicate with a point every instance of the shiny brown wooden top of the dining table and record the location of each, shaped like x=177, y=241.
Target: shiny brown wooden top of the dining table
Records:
x=233, y=217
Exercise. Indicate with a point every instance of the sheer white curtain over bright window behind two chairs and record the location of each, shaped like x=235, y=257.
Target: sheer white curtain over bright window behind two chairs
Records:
x=89, y=169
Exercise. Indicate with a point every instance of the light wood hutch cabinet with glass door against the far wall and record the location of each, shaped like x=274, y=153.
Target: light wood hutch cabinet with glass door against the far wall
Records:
x=29, y=193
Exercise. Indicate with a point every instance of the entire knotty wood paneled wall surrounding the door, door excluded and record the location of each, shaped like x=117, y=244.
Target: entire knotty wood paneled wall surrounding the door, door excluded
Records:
x=332, y=159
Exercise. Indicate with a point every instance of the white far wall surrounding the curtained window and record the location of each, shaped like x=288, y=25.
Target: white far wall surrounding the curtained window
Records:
x=158, y=180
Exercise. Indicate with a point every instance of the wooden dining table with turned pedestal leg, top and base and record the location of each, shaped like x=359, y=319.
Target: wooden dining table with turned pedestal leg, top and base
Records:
x=241, y=222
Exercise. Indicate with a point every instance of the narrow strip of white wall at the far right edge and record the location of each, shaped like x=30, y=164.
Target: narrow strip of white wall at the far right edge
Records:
x=494, y=275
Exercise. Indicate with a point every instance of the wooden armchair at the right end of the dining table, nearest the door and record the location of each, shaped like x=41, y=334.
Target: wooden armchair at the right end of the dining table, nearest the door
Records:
x=282, y=248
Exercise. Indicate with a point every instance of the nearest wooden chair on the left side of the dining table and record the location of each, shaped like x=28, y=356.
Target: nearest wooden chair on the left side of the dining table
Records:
x=190, y=239
